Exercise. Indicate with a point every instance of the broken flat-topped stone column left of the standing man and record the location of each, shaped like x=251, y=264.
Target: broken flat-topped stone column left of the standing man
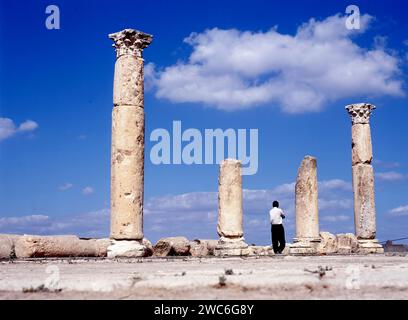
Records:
x=230, y=210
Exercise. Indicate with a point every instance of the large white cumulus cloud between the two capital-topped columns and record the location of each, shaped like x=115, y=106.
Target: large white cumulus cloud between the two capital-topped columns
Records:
x=319, y=64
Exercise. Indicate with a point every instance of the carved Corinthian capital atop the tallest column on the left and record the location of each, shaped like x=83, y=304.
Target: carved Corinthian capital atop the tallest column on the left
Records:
x=130, y=41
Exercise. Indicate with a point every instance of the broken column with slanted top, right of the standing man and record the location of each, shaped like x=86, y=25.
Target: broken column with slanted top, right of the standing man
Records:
x=306, y=206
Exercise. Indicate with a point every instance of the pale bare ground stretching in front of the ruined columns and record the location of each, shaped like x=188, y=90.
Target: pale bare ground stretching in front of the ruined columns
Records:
x=275, y=277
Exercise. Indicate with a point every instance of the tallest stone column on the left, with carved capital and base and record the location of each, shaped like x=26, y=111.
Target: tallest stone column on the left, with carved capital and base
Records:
x=127, y=152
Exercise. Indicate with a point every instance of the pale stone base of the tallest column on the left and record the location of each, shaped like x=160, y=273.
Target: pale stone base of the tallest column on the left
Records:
x=127, y=249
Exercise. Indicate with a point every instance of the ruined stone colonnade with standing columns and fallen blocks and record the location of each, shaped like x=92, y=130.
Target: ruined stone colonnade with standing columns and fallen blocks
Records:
x=127, y=188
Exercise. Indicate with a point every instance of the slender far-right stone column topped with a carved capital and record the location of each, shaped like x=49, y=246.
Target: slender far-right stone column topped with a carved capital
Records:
x=363, y=178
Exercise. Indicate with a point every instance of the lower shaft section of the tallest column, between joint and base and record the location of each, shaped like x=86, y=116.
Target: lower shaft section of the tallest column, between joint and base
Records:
x=127, y=173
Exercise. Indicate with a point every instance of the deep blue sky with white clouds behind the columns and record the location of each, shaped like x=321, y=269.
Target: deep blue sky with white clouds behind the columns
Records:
x=253, y=65
